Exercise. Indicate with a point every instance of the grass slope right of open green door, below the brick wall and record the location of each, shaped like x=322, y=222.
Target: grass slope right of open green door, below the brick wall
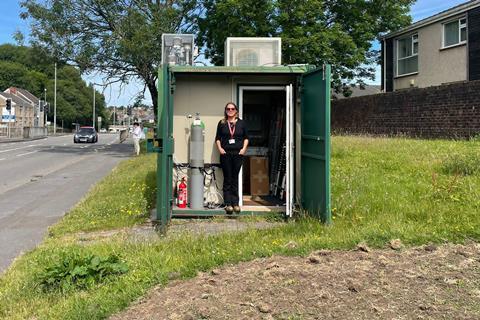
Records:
x=400, y=187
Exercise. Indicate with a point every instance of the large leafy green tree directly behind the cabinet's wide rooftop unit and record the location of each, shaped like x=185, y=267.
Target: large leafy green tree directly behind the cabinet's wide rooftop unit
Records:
x=339, y=32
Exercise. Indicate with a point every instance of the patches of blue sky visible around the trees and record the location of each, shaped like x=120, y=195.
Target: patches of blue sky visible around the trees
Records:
x=116, y=94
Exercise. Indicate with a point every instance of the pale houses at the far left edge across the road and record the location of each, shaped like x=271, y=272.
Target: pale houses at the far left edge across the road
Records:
x=25, y=108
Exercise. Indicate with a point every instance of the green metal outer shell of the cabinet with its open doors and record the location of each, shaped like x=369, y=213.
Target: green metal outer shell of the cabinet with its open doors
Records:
x=313, y=90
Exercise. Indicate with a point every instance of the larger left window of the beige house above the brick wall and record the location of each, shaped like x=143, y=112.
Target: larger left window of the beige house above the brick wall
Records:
x=407, y=55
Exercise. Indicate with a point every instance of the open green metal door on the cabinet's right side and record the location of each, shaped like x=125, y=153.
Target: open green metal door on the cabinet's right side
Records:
x=315, y=96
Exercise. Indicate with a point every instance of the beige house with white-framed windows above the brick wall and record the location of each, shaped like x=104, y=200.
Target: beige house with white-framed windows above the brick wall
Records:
x=443, y=48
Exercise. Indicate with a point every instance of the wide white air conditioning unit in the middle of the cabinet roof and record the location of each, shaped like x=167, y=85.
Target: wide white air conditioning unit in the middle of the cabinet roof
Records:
x=253, y=52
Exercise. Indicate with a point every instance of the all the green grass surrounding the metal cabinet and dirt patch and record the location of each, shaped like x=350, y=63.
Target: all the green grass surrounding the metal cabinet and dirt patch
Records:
x=381, y=189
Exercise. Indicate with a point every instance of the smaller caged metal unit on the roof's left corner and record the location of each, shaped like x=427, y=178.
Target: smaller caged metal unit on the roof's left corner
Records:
x=178, y=49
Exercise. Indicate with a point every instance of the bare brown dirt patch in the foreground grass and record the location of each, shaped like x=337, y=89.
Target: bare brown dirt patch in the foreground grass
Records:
x=427, y=282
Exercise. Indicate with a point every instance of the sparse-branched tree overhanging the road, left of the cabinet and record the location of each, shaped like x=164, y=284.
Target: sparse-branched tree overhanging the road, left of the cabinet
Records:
x=119, y=38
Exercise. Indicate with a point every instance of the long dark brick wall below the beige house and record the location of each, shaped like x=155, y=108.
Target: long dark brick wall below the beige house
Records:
x=446, y=111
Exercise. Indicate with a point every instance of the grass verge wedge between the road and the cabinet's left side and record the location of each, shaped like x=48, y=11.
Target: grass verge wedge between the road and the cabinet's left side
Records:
x=124, y=198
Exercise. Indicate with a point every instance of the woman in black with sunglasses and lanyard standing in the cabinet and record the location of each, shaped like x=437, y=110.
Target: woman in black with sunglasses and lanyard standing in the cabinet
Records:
x=232, y=143
